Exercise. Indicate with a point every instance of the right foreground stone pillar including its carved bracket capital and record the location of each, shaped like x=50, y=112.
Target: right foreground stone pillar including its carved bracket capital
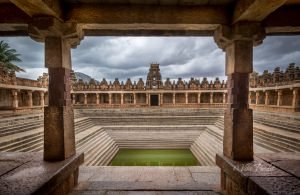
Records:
x=237, y=41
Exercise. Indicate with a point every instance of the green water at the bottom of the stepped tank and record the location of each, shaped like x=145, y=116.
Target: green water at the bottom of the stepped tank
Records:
x=161, y=157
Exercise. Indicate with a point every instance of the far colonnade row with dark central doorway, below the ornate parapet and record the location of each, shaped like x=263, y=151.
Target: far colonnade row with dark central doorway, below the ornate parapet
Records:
x=142, y=98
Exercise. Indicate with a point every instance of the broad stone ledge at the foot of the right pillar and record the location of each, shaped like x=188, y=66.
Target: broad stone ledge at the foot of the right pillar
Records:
x=266, y=174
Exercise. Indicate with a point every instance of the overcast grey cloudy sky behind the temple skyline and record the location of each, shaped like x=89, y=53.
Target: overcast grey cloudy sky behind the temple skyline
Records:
x=129, y=57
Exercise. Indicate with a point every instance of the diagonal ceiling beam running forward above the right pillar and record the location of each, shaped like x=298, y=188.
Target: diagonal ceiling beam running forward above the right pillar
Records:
x=255, y=10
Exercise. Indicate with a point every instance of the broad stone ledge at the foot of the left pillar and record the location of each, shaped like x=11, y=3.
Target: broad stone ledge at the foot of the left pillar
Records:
x=28, y=173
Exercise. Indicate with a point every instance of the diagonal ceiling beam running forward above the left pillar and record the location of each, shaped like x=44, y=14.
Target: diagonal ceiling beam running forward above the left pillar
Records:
x=40, y=7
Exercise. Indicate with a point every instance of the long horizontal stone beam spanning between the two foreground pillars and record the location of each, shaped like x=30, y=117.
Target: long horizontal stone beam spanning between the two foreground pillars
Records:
x=118, y=17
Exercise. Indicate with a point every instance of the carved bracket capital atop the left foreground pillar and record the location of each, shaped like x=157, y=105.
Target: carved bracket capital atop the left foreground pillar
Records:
x=47, y=26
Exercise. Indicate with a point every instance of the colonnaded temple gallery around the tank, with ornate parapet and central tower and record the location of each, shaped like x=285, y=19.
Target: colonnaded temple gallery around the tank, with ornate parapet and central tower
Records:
x=277, y=91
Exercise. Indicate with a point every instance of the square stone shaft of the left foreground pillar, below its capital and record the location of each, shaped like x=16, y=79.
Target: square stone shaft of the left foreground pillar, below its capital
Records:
x=59, y=135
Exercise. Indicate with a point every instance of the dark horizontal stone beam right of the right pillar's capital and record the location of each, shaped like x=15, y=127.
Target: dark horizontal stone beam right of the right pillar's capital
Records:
x=286, y=20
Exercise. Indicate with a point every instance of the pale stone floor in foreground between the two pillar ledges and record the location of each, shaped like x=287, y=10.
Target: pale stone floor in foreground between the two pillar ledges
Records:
x=148, y=180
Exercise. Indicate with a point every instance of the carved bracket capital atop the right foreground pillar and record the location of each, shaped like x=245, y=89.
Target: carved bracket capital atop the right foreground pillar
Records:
x=247, y=31
